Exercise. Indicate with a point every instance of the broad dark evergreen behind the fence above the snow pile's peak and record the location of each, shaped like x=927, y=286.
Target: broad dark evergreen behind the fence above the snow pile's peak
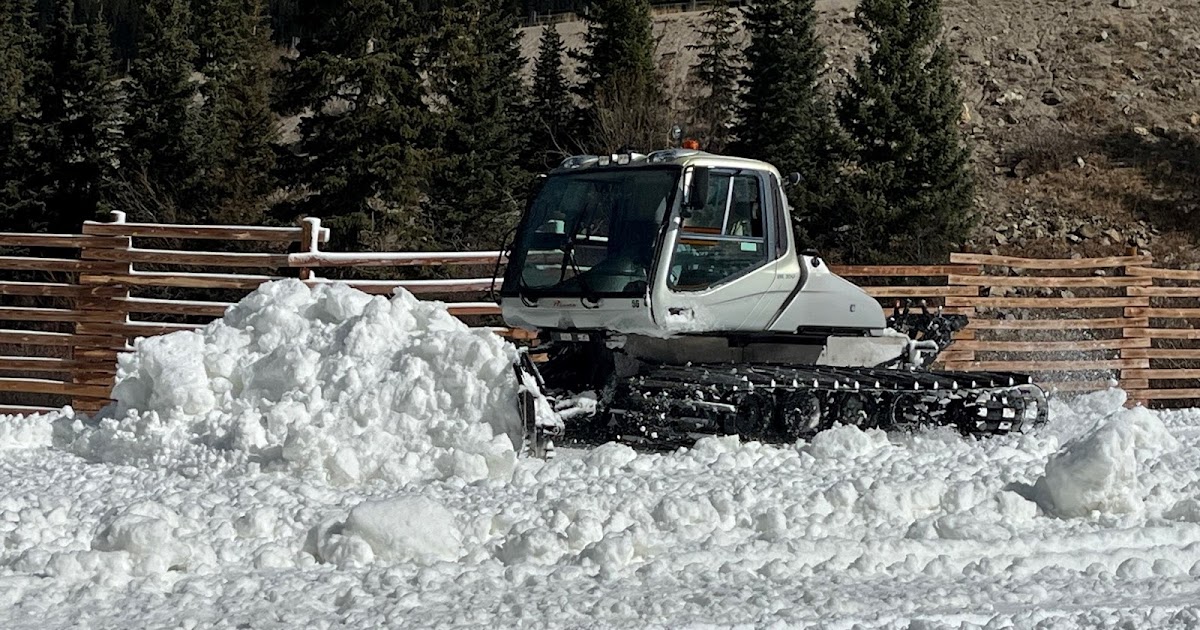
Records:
x=362, y=163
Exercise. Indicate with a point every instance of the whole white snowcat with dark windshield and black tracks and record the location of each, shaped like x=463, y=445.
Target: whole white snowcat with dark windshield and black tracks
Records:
x=671, y=303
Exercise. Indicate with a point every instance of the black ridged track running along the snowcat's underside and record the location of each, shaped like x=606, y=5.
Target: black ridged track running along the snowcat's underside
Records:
x=674, y=406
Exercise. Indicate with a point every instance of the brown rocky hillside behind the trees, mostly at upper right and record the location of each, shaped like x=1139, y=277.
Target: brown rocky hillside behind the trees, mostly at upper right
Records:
x=1084, y=117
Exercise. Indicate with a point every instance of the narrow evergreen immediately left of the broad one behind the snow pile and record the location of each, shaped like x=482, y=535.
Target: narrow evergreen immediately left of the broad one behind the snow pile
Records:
x=239, y=127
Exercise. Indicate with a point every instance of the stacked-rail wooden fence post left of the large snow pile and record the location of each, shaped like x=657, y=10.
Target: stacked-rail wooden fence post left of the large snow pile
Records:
x=99, y=340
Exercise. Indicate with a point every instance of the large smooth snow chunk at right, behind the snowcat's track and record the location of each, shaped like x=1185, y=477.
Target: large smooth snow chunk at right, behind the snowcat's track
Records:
x=1099, y=472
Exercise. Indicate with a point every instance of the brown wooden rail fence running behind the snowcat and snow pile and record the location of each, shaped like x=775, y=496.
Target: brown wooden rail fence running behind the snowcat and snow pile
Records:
x=74, y=302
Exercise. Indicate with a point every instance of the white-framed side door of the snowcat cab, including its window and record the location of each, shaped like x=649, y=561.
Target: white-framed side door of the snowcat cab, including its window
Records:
x=724, y=259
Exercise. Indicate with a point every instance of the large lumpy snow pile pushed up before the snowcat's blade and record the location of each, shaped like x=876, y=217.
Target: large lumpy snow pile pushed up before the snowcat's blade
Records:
x=328, y=382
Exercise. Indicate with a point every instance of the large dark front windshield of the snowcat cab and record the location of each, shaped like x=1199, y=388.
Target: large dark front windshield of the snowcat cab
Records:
x=592, y=233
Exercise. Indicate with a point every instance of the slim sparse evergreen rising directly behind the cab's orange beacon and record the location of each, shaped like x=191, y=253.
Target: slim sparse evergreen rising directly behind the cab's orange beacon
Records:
x=716, y=79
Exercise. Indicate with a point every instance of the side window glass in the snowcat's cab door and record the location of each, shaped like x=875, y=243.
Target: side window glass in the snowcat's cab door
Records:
x=724, y=241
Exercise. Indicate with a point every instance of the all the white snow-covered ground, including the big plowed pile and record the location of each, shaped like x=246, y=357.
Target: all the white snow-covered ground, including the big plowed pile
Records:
x=323, y=459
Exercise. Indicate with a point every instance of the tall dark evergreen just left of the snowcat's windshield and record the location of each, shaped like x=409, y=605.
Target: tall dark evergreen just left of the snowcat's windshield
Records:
x=476, y=75
